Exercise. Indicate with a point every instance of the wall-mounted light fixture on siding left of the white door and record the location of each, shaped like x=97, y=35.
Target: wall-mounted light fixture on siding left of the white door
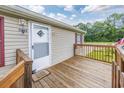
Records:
x=22, y=26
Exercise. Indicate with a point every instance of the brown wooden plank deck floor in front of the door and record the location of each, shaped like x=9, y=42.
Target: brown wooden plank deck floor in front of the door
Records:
x=77, y=72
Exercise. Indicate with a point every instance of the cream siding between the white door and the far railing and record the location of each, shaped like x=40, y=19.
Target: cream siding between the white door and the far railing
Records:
x=62, y=44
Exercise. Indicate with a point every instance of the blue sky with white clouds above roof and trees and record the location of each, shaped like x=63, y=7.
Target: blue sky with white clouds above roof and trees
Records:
x=74, y=14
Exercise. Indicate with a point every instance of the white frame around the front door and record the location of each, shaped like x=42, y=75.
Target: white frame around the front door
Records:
x=30, y=25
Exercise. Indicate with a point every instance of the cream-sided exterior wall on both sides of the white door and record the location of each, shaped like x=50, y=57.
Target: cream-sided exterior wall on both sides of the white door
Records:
x=62, y=42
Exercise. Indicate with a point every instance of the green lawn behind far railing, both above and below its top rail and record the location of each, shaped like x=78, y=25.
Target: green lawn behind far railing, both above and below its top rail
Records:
x=106, y=55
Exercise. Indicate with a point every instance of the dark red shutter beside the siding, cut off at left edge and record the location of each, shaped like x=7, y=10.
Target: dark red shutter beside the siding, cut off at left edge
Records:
x=1, y=41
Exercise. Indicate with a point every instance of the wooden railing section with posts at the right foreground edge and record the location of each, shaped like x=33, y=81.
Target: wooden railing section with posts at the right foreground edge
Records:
x=118, y=69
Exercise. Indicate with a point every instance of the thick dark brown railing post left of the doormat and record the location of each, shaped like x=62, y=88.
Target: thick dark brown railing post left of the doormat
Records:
x=28, y=74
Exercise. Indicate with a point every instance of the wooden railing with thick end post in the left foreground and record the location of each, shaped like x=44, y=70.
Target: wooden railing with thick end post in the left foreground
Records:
x=21, y=75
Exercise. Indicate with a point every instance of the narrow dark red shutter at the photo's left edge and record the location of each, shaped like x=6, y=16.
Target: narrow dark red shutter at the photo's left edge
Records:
x=2, y=40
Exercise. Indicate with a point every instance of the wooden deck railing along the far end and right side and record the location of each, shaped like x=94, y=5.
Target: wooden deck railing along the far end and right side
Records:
x=107, y=53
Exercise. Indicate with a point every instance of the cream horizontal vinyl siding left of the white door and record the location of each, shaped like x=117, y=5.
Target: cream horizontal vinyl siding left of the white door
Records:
x=13, y=39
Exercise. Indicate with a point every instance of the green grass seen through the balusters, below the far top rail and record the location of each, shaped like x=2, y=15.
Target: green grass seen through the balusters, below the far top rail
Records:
x=103, y=55
